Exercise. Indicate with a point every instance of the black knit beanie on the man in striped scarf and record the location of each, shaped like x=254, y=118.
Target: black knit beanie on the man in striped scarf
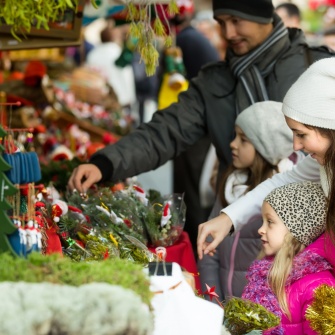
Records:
x=260, y=11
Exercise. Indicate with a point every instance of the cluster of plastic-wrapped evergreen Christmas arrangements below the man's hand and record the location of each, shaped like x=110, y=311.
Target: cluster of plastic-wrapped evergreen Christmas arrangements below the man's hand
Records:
x=120, y=223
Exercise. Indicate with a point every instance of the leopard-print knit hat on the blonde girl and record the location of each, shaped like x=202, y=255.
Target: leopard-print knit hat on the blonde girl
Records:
x=302, y=208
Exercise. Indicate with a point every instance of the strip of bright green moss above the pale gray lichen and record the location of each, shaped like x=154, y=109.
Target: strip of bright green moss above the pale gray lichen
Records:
x=61, y=270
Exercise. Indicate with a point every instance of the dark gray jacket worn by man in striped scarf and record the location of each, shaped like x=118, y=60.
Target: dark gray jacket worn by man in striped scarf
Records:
x=207, y=107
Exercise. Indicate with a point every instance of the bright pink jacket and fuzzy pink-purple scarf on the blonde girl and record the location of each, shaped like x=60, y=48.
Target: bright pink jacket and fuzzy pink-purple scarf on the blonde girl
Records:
x=309, y=271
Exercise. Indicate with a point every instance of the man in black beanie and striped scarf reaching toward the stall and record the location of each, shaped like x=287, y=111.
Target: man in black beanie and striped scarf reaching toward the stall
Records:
x=262, y=62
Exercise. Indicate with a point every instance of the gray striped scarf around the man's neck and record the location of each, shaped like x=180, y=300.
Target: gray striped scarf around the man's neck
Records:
x=252, y=68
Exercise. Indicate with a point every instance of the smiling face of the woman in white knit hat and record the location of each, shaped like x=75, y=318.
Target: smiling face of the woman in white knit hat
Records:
x=308, y=140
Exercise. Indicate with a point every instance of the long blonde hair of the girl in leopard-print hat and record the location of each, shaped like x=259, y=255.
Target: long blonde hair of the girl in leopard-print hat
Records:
x=281, y=268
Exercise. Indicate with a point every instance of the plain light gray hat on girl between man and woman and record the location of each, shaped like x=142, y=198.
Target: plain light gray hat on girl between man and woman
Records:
x=265, y=126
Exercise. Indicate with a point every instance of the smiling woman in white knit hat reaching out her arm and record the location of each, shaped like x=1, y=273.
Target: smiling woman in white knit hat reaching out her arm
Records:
x=309, y=107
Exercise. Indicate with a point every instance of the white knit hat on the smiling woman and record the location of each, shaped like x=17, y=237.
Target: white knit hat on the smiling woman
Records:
x=311, y=99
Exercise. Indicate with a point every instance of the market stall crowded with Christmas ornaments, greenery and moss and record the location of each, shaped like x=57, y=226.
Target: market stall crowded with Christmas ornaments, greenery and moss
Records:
x=115, y=260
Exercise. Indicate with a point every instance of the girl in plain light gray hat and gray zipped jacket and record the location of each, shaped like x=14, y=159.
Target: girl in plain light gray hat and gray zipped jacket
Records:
x=260, y=149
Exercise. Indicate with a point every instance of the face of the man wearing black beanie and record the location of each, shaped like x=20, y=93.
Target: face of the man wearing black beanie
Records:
x=241, y=35
